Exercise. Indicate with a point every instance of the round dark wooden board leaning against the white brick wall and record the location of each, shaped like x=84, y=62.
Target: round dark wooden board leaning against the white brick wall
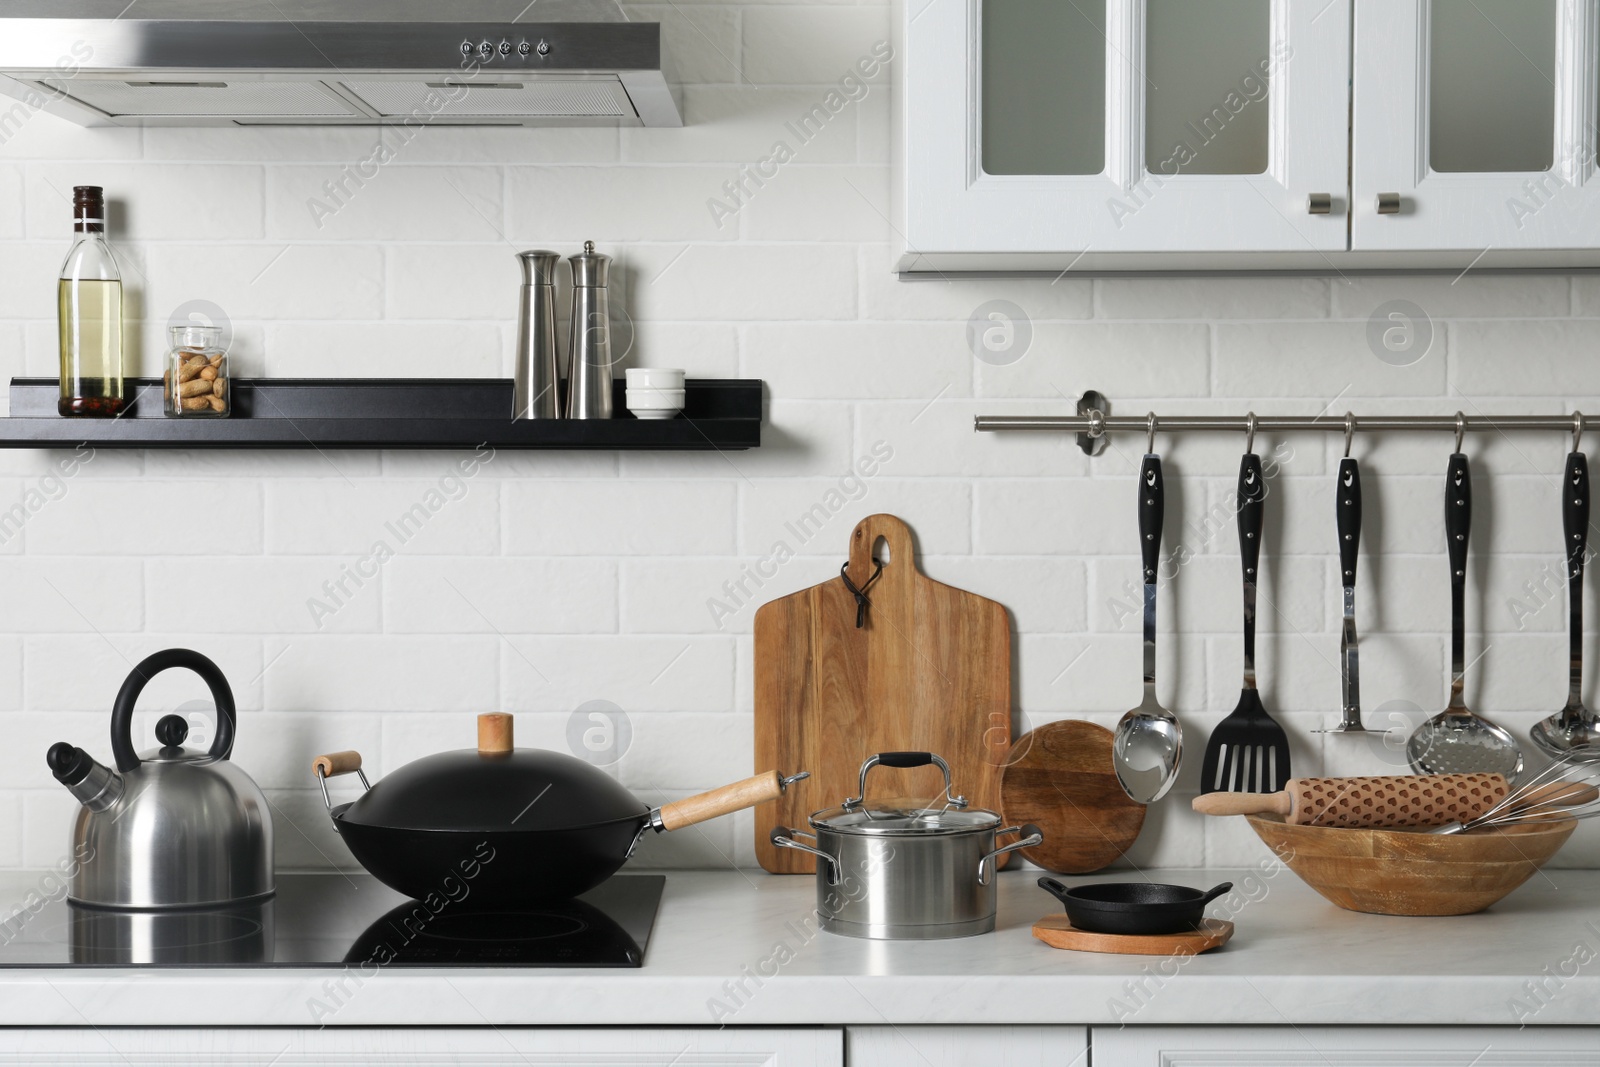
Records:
x=1060, y=778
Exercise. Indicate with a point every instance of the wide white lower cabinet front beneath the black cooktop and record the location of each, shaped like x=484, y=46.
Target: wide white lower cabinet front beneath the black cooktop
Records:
x=426, y=1049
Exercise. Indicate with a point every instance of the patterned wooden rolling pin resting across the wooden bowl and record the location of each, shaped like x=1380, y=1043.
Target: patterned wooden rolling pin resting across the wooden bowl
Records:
x=1399, y=801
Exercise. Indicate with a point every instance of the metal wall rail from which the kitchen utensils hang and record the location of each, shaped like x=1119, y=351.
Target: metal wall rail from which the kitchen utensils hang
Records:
x=1094, y=425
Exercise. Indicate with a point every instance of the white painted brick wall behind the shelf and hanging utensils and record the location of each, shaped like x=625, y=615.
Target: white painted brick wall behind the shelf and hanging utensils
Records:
x=553, y=580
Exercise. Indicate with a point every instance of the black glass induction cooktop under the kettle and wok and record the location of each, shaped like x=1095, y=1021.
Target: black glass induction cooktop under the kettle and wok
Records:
x=338, y=921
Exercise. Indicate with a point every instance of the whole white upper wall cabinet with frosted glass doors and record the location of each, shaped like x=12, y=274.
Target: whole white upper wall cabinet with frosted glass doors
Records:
x=1249, y=135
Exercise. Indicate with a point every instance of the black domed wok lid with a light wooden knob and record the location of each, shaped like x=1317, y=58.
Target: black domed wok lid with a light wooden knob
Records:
x=495, y=789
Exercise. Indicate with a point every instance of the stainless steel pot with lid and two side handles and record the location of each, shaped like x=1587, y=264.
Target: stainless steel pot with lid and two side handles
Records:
x=906, y=871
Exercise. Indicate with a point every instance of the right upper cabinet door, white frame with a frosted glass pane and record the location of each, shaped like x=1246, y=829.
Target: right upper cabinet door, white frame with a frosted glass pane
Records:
x=1478, y=119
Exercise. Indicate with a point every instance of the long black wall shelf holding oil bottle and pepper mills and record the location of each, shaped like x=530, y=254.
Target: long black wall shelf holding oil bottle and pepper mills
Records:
x=719, y=414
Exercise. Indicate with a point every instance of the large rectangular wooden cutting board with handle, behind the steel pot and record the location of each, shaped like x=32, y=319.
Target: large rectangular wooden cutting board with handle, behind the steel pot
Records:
x=930, y=671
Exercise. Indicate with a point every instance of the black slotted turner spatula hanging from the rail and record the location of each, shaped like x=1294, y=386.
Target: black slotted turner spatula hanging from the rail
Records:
x=1249, y=751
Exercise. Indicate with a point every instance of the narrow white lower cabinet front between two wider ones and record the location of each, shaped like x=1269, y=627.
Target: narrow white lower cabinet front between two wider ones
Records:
x=967, y=1047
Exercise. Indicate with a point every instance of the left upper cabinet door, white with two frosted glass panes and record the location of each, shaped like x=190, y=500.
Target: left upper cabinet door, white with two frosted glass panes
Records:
x=1042, y=132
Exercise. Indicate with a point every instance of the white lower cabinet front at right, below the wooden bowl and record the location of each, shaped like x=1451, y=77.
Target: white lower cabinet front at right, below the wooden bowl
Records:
x=1346, y=1047
